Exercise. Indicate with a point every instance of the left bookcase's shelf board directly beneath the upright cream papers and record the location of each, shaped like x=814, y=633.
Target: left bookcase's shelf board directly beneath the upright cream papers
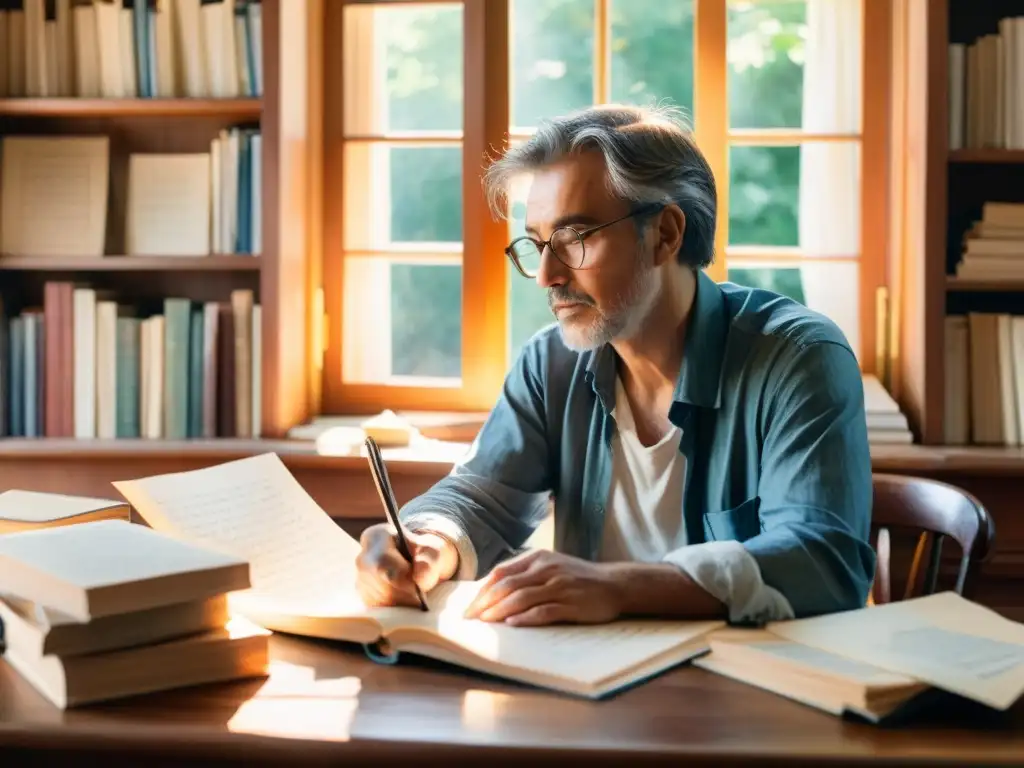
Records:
x=225, y=264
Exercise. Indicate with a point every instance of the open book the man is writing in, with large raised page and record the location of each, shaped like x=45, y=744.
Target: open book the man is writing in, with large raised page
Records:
x=303, y=570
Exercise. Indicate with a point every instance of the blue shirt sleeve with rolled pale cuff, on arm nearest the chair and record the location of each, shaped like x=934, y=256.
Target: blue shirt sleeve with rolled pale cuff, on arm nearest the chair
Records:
x=814, y=554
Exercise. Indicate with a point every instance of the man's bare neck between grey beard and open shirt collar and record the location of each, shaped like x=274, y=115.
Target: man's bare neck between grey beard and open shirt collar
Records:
x=652, y=359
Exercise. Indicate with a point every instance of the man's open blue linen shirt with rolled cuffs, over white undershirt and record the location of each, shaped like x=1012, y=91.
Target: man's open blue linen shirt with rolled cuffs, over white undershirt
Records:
x=771, y=404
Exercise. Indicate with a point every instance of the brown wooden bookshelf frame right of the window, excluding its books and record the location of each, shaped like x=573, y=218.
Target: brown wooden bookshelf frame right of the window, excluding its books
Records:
x=936, y=193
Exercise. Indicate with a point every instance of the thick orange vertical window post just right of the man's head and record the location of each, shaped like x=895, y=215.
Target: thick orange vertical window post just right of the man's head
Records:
x=711, y=112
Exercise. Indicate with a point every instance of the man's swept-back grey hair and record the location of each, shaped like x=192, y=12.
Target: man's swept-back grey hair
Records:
x=651, y=157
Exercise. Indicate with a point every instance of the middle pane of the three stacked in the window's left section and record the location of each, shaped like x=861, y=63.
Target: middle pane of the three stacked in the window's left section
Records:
x=405, y=196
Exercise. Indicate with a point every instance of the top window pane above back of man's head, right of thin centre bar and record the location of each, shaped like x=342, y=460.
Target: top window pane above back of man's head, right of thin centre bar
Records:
x=653, y=53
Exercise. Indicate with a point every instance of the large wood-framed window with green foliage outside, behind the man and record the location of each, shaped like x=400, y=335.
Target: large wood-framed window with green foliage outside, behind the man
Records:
x=426, y=313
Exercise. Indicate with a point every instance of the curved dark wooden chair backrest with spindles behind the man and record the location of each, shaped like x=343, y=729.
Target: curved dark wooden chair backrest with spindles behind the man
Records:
x=938, y=511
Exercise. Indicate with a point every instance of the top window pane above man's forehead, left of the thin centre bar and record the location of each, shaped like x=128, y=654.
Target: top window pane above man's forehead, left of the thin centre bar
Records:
x=552, y=59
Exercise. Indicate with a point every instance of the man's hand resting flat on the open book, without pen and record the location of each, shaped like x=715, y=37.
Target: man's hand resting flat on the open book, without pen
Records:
x=542, y=587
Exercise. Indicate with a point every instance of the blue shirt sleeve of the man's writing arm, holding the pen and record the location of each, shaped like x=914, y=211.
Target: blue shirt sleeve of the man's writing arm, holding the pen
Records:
x=494, y=499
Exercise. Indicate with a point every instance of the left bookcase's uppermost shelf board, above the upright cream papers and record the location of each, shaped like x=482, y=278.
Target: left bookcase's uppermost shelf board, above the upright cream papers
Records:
x=72, y=107
